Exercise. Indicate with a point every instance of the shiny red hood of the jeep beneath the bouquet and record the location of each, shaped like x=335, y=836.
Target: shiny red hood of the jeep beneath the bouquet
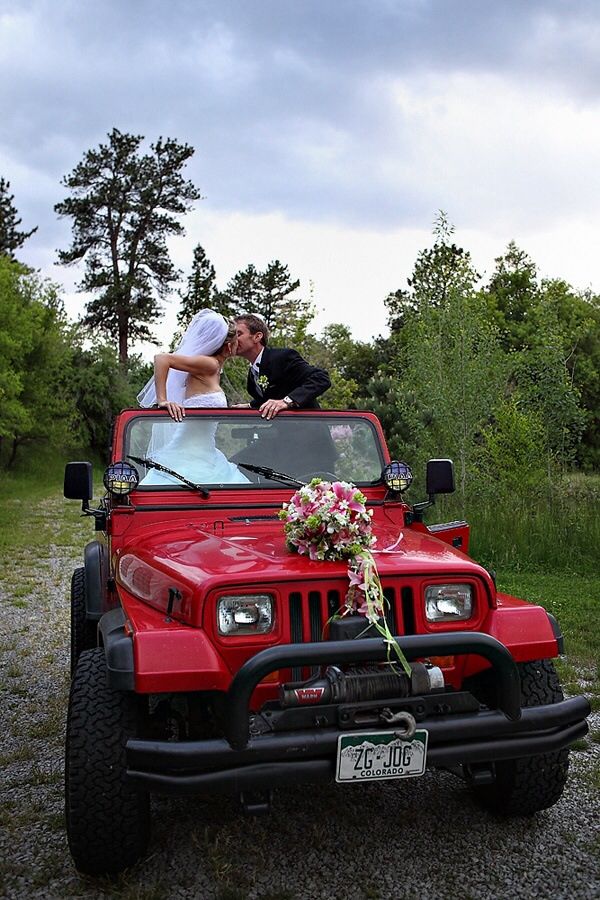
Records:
x=191, y=561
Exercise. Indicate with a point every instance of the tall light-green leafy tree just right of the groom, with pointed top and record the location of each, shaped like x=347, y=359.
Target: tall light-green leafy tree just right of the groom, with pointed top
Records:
x=443, y=370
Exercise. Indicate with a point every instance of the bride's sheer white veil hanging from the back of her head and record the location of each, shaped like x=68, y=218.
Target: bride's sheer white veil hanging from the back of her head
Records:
x=205, y=334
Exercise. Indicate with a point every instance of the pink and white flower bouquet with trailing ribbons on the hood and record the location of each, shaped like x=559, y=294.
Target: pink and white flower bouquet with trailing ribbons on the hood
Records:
x=330, y=521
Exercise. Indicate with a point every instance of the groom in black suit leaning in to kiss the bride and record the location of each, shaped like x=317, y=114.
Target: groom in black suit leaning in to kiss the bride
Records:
x=278, y=378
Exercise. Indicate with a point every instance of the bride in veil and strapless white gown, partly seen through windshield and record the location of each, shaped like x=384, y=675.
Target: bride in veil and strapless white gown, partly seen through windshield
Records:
x=190, y=378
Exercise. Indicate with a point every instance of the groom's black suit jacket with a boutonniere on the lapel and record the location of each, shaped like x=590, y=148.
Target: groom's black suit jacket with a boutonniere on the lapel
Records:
x=289, y=376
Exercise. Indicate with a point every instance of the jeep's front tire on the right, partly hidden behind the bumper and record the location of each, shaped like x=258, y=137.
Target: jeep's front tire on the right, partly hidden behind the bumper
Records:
x=525, y=786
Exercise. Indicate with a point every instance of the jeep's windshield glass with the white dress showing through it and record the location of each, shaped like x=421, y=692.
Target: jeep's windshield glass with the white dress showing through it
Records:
x=213, y=450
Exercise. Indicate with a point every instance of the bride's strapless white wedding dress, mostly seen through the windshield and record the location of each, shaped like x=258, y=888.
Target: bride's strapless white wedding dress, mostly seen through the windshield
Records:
x=189, y=448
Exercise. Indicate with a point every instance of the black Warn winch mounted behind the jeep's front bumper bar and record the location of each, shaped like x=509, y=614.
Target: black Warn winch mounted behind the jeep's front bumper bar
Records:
x=362, y=684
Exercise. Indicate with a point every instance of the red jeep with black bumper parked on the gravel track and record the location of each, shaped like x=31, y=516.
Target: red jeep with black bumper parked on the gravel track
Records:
x=207, y=656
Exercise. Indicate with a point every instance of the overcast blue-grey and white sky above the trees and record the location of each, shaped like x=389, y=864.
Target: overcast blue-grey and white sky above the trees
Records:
x=328, y=133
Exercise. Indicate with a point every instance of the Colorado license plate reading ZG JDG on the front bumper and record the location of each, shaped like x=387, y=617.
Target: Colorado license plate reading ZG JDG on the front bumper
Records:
x=380, y=754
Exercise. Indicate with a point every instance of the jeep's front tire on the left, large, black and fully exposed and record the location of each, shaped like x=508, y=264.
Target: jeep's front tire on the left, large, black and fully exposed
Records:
x=108, y=822
